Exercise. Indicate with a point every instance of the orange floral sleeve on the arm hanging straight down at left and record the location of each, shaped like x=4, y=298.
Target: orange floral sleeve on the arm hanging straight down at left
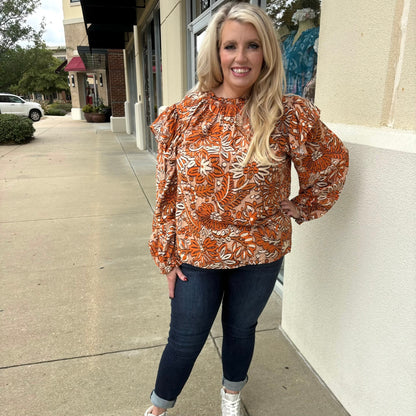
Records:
x=162, y=242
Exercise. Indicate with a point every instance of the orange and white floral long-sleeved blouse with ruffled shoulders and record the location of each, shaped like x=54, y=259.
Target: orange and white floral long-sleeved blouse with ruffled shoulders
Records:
x=211, y=211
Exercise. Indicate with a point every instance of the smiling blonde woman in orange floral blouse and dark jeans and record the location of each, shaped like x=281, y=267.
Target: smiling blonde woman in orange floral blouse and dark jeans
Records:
x=222, y=222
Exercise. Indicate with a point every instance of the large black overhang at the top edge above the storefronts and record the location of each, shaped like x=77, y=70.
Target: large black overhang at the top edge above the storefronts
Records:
x=107, y=22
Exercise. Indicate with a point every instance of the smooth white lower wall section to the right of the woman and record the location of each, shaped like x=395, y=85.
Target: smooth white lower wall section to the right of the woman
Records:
x=349, y=301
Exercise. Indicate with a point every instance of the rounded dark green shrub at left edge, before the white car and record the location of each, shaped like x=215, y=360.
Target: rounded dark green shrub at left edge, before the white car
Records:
x=15, y=129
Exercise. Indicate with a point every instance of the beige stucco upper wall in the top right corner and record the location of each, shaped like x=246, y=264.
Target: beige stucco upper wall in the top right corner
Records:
x=361, y=78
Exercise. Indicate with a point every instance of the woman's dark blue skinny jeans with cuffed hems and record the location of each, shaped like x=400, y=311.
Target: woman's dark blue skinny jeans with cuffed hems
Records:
x=244, y=293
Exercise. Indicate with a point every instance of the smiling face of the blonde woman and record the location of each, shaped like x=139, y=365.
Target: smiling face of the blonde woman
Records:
x=241, y=58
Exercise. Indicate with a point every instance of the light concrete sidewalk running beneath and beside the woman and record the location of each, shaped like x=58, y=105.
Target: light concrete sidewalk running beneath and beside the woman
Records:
x=84, y=312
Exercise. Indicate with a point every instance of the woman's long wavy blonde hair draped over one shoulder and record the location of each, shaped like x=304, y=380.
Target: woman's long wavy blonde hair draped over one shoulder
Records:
x=264, y=107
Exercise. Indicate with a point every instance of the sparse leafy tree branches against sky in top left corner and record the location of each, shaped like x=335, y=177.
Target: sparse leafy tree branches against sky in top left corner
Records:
x=13, y=25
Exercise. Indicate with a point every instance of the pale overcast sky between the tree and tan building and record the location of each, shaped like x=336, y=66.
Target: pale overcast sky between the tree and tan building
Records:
x=51, y=10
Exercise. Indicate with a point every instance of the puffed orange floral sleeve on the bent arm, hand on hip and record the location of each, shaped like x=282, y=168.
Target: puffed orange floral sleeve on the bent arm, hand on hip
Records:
x=320, y=158
